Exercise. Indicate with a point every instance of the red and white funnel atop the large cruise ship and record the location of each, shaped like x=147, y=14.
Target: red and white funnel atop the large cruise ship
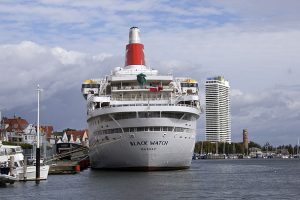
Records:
x=134, y=50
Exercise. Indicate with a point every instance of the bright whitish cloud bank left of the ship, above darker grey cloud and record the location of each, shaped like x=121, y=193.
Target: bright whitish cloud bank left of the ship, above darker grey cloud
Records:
x=27, y=64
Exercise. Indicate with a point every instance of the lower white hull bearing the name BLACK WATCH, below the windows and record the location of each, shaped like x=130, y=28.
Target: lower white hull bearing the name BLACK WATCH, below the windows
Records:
x=155, y=150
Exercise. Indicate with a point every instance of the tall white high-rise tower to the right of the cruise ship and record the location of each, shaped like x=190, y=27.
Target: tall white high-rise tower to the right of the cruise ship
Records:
x=217, y=99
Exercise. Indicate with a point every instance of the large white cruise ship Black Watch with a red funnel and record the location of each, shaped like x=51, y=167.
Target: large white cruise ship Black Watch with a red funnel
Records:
x=140, y=119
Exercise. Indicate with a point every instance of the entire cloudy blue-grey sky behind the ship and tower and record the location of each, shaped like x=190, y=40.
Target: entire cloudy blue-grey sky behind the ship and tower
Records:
x=58, y=44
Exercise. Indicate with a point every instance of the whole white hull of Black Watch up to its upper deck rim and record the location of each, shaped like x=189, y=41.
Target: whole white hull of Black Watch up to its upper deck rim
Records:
x=164, y=148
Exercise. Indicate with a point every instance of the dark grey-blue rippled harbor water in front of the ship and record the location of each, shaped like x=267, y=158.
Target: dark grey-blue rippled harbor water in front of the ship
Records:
x=206, y=179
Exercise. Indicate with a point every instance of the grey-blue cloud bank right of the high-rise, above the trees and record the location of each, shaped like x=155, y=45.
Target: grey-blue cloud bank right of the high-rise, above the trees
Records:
x=270, y=114
